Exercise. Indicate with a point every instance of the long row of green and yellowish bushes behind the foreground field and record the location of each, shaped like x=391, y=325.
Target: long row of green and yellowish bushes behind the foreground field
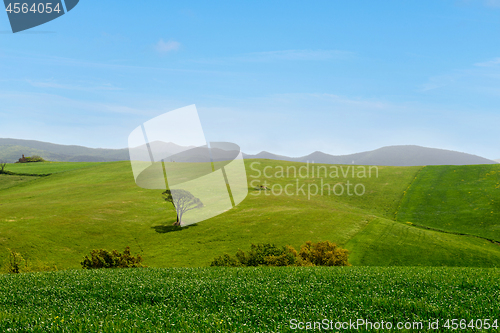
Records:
x=311, y=254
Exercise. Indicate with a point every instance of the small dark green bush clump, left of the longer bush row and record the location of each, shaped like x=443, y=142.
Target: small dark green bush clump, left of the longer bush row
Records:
x=114, y=259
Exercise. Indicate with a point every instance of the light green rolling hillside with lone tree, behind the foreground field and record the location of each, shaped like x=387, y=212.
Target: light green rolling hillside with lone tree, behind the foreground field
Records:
x=56, y=220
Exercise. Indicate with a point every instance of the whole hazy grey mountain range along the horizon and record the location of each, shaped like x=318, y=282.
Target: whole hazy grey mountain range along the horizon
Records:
x=12, y=149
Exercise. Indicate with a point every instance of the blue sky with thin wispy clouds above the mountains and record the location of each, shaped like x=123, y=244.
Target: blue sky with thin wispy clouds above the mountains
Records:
x=290, y=77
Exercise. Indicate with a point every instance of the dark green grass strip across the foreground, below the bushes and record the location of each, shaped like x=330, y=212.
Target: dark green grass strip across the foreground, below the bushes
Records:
x=245, y=299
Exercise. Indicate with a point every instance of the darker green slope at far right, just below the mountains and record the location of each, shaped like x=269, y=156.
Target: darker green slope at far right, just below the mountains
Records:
x=458, y=199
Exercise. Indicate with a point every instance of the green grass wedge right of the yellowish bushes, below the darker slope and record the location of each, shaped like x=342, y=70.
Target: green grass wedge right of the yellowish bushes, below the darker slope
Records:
x=388, y=243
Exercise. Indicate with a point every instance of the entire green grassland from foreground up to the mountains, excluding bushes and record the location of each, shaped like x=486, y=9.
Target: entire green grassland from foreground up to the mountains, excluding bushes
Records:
x=407, y=216
